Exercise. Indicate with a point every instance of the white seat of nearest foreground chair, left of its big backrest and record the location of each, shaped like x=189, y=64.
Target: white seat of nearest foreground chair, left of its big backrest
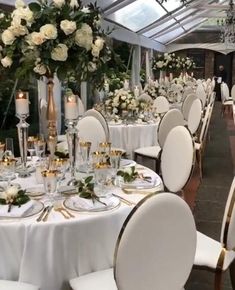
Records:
x=102, y=280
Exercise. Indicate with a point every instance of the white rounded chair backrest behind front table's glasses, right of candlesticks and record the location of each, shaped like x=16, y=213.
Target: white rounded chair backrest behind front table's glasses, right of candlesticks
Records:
x=90, y=129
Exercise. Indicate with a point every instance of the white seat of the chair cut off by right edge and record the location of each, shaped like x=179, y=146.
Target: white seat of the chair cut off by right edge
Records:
x=209, y=258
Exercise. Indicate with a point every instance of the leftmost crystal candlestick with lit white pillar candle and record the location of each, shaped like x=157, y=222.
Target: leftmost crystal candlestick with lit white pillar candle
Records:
x=22, y=112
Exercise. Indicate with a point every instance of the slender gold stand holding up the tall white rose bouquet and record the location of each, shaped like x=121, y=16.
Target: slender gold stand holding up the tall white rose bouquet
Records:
x=51, y=118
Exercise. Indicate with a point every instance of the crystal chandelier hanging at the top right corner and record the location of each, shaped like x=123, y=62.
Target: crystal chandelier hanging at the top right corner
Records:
x=227, y=25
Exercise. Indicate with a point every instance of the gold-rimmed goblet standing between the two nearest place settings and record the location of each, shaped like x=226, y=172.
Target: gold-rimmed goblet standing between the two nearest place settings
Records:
x=50, y=178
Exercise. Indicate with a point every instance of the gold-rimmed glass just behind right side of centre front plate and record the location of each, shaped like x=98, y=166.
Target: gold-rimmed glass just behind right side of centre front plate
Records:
x=103, y=178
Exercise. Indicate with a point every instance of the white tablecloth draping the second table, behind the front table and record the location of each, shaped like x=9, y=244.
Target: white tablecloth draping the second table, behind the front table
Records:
x=133, y=136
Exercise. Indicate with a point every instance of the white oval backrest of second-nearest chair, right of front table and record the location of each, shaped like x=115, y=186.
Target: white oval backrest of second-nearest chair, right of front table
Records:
x=177, y=158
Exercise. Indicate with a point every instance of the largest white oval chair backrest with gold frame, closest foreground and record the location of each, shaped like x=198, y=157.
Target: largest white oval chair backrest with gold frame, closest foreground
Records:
x=156, y=250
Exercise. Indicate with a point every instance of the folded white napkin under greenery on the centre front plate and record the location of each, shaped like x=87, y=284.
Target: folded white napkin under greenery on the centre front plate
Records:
x=87, y=204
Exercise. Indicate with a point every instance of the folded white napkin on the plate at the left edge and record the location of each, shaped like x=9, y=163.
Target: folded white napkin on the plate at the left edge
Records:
x=15, y=210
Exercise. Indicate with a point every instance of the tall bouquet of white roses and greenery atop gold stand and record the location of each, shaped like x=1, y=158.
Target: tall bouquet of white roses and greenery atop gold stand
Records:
x=58, y=36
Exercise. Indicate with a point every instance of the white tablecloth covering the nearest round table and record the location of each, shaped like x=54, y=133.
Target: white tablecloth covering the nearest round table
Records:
x=49, y=254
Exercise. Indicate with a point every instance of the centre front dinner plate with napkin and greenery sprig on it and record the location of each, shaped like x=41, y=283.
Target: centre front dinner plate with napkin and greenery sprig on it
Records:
x=80, y=204
